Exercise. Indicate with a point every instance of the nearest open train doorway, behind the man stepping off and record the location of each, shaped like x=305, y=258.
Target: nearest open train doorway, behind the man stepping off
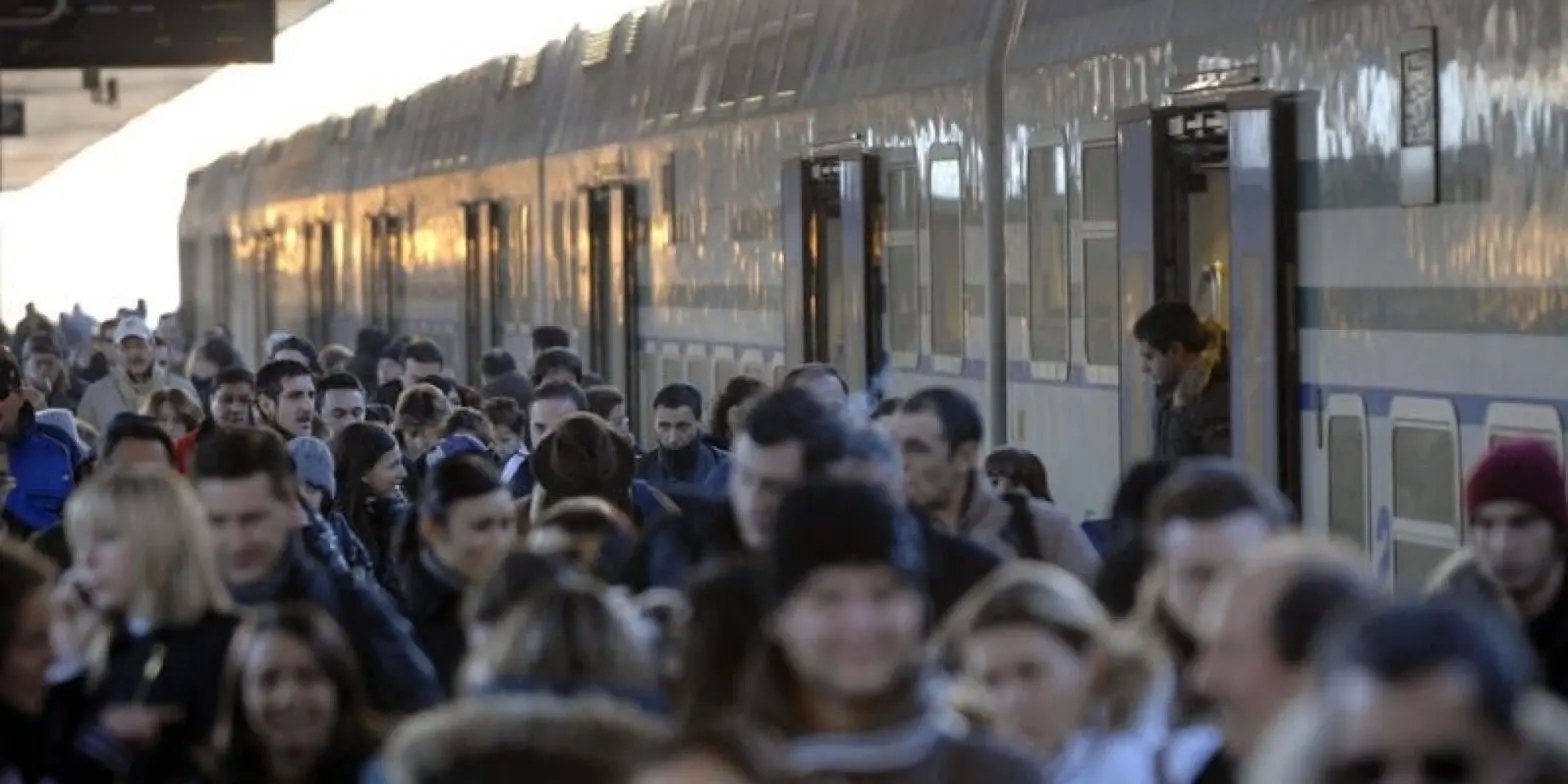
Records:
x=1207, y=209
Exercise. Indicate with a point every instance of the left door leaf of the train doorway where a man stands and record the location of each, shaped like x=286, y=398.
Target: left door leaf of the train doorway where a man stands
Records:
x=1144, y=241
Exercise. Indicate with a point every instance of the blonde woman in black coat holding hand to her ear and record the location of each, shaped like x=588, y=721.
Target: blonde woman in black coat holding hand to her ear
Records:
x=148, y=620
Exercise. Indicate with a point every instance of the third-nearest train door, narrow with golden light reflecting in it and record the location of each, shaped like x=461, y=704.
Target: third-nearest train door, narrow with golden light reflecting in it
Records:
x=614, y=223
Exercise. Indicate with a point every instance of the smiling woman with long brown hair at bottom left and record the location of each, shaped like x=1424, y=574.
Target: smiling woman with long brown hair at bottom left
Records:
x=296, y=705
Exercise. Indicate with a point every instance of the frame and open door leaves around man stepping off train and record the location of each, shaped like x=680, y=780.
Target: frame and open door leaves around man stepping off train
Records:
x=1265, y=352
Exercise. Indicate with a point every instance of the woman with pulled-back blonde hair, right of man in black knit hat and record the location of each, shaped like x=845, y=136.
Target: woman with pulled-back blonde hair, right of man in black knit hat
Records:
x=1048, y=673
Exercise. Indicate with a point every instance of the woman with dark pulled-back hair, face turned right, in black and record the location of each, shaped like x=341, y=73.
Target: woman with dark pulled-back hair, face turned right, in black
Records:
x=466, y=526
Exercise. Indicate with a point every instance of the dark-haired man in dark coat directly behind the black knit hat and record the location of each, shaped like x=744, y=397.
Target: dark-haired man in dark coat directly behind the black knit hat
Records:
x=788, y=440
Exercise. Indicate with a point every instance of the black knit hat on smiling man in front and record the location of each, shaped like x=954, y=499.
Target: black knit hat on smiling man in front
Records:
x=843, y=524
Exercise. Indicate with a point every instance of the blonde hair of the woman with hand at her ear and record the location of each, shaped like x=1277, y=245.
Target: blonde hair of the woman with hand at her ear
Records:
x=169, y=542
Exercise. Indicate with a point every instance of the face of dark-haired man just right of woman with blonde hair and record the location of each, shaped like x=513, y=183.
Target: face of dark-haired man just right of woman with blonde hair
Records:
x=252, y=526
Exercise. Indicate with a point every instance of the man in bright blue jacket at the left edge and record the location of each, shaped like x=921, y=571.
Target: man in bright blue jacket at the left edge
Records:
x=42, y=462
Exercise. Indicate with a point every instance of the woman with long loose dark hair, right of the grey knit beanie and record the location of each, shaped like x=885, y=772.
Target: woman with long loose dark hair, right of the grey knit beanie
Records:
x=369, y=473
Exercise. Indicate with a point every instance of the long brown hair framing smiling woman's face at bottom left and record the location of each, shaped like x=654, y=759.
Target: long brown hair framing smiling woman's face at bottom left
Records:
x=238, y=755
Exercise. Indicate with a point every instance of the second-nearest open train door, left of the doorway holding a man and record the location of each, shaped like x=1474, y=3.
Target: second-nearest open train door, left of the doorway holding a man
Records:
x=833, y=278
